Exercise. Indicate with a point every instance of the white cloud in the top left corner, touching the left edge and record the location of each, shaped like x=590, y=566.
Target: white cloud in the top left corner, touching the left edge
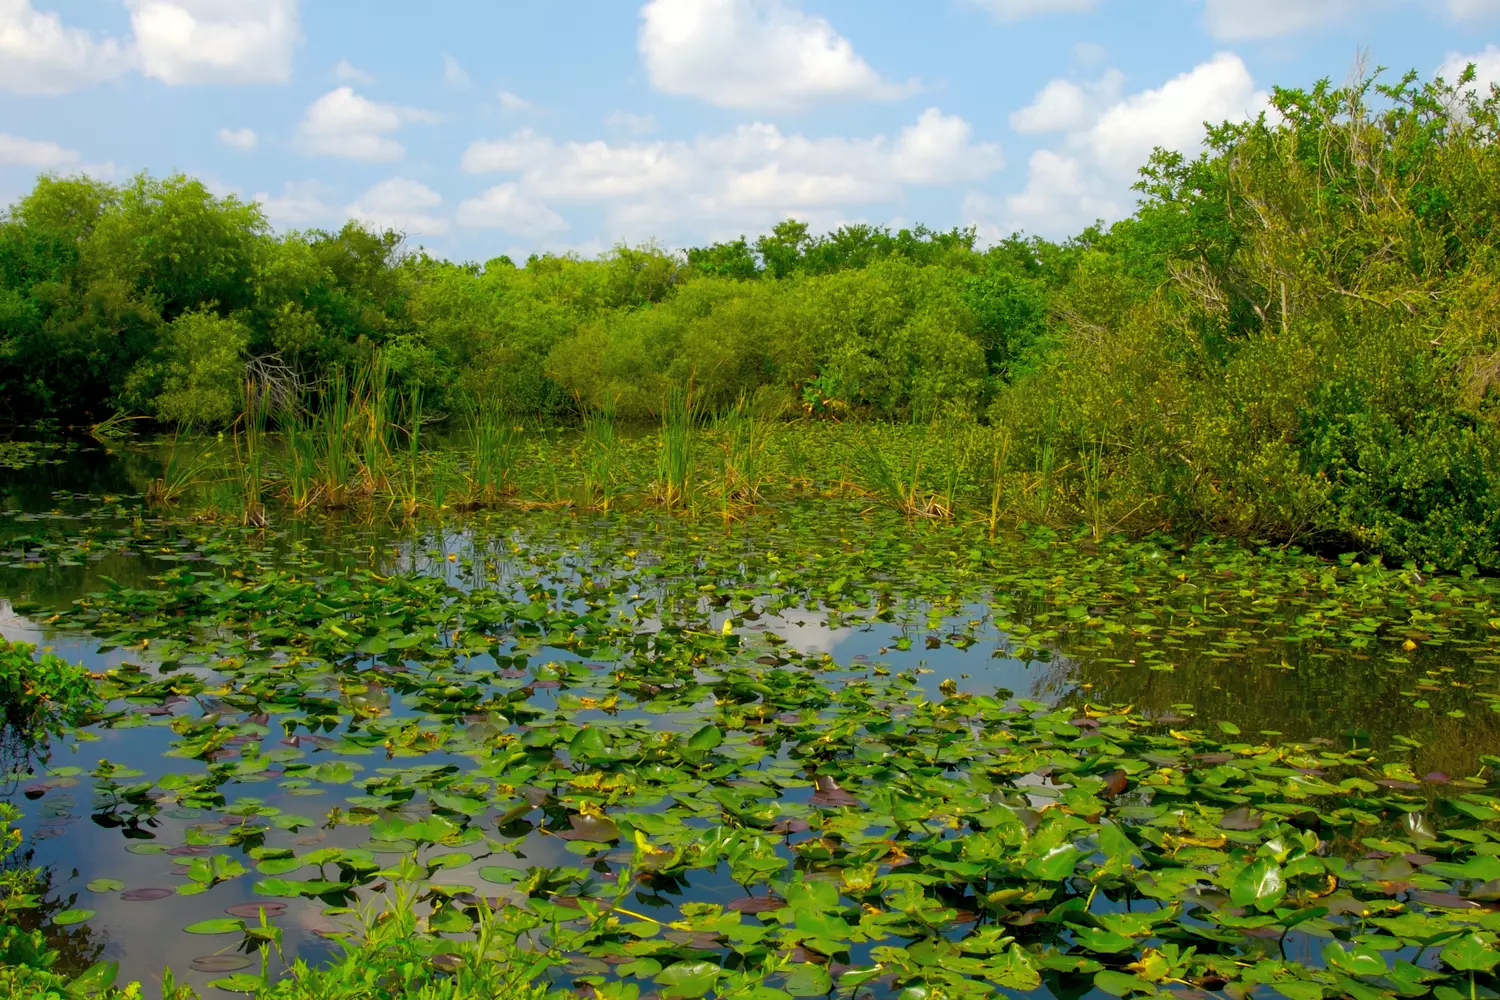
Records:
x=41, y=56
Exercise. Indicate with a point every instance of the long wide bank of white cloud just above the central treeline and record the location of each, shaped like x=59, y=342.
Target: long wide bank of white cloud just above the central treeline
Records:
x=751, y=176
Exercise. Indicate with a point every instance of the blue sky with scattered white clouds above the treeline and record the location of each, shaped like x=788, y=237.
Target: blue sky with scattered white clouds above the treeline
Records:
x=512, y=127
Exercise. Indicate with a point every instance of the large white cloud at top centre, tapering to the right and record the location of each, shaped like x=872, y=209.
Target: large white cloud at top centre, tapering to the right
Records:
x=752, y=55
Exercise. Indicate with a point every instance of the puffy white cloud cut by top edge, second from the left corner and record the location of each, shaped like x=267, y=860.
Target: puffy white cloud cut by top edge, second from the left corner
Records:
x=215, y=41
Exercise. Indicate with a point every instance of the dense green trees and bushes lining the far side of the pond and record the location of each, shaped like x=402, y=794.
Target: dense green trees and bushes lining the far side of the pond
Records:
x=1294, y=338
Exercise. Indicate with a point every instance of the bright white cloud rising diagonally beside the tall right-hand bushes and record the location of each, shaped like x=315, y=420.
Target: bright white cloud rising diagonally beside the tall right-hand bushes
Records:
x=1105, y=142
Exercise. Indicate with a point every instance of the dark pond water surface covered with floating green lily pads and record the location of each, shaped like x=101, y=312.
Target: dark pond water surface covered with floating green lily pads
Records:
x=815, y=750
